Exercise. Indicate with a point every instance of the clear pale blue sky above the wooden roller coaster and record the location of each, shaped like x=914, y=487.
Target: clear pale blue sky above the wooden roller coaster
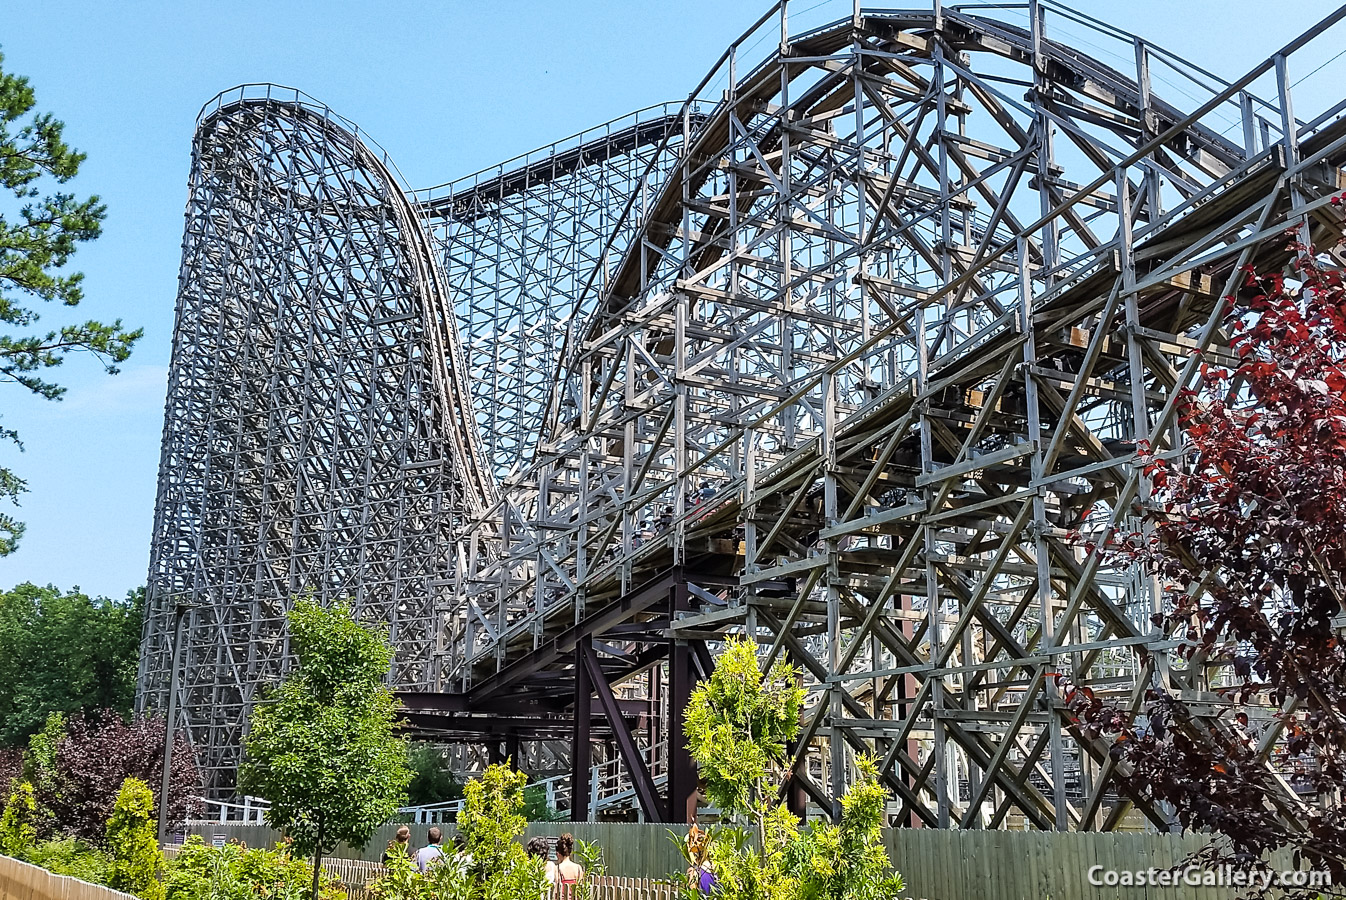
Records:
x=446, y=88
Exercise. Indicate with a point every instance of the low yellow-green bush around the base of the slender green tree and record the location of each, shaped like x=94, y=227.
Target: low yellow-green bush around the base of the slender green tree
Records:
x=234, y=872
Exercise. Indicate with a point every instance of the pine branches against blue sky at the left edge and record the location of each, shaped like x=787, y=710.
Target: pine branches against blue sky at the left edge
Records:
x=40, y=232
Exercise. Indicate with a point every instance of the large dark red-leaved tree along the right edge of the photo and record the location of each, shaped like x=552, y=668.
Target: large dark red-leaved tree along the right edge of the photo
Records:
x=1247, y=537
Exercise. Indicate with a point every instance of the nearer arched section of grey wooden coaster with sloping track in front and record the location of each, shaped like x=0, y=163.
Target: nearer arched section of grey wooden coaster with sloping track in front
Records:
x=873, y=346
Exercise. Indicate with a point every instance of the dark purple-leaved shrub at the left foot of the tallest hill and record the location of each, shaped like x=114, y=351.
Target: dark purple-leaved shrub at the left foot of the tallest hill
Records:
x=96, y=755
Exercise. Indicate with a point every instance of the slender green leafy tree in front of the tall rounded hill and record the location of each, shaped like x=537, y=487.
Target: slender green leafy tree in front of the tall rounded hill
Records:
x=322, y=746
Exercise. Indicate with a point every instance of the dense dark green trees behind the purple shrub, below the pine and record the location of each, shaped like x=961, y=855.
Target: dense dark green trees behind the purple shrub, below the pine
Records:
x=65, y=653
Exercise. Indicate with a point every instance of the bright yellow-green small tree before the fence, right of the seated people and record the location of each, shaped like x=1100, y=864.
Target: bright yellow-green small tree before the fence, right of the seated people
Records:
x=738, y=726
